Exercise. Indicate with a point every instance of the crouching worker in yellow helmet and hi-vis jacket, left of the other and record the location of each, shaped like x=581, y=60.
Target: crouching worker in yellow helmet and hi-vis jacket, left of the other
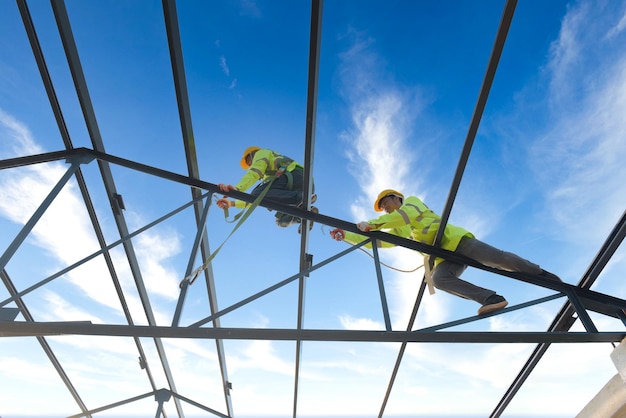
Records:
x=287, y=185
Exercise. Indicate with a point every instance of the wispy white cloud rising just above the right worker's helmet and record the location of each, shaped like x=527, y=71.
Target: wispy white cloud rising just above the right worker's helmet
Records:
x=382, y=113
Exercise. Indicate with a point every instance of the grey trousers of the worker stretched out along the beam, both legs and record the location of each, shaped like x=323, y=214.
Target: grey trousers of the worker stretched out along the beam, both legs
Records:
x=446, y=275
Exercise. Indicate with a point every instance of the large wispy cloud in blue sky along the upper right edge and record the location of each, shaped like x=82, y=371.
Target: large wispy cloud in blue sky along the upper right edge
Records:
x=579, y=157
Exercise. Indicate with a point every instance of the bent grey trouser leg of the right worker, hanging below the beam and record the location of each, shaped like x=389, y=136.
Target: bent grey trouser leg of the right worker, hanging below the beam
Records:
x=446, y=277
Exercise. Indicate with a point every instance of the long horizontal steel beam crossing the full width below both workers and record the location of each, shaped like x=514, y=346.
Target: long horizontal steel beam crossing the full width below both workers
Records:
x=26, y=329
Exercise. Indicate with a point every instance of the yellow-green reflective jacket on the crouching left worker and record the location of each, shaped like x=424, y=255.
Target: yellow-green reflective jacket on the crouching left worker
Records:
x=264, y=165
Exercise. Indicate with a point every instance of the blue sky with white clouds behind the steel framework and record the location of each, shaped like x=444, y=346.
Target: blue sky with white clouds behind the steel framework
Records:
x=398, y=83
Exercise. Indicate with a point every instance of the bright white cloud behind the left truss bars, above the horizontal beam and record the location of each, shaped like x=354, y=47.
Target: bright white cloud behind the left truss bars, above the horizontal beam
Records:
x=66, y=233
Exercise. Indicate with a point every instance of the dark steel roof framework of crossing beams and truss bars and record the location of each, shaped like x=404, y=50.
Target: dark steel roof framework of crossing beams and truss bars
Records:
x=579, y=299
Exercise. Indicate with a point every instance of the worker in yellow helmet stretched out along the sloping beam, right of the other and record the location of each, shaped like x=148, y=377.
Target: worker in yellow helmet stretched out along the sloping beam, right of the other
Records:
x=411, y=218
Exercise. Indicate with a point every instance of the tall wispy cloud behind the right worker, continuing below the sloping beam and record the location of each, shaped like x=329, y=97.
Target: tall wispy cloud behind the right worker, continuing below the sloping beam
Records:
x=379, y=148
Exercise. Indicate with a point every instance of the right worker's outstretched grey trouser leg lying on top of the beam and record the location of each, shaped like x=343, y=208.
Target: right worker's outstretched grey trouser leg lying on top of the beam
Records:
x=493, y=257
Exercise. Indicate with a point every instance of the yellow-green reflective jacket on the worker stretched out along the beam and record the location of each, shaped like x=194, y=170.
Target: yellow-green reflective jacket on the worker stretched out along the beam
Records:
x=416, y=221
